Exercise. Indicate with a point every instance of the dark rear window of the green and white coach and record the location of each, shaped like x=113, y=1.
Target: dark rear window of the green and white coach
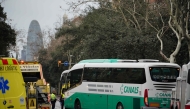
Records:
x=164, y=74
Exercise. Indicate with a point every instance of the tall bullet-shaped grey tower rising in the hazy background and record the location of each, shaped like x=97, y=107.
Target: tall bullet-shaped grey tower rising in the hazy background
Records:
x=34, y=41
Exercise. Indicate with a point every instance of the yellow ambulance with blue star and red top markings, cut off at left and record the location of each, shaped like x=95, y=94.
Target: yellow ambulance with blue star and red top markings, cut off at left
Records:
x=12, y=86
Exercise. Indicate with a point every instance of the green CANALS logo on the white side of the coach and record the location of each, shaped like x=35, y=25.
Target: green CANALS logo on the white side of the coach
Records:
x=129, y=89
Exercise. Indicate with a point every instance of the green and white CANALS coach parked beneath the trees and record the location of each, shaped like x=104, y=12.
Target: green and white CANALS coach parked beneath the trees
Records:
x=120, y=84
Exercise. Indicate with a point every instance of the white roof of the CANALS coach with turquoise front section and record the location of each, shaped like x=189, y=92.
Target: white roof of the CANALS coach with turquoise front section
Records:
x=118, y=64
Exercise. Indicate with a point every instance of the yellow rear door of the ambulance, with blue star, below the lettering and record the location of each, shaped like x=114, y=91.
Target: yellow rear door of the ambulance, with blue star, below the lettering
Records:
x=14, y=90
